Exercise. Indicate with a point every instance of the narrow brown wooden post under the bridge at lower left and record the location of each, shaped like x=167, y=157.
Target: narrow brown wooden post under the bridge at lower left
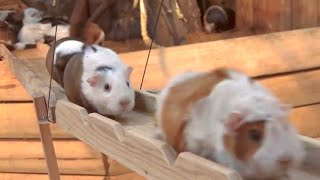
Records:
x=46, y=139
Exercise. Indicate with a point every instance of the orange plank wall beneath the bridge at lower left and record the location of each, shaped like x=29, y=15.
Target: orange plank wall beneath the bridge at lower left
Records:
x=21, y=150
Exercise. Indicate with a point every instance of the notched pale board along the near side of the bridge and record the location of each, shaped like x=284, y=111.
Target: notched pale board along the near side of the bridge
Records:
x=71, y=118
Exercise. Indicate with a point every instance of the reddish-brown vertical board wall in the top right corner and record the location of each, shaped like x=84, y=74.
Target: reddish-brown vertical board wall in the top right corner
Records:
x=262, y=16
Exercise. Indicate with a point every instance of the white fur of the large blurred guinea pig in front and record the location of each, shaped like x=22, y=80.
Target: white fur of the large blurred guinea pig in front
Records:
x=207, y=118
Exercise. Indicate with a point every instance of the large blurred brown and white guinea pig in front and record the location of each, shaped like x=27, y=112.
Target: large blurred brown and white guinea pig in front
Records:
x=225, y=116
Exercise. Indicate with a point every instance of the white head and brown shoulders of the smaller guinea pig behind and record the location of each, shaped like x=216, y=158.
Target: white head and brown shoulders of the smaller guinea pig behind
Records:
x=99, y=81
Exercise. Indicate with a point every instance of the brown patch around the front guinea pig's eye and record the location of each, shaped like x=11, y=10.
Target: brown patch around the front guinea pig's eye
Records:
x=246, y=141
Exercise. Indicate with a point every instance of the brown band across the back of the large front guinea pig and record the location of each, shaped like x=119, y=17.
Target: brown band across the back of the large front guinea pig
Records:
x=178, y=101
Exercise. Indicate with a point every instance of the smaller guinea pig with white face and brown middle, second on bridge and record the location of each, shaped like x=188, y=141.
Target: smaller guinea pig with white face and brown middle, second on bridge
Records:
x=93, y=77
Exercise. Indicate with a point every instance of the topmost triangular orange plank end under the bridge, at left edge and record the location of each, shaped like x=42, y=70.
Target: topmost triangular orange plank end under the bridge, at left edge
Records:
x=10, y=88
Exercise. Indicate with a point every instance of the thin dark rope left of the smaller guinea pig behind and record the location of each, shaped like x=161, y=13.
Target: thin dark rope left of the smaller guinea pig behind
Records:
x=54, y=49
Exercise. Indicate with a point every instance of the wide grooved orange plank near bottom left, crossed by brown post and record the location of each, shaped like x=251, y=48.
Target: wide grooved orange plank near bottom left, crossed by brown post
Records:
x=74, y=157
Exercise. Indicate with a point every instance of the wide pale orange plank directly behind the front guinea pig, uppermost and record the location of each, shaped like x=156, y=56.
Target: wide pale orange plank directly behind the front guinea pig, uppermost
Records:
x=255, y=55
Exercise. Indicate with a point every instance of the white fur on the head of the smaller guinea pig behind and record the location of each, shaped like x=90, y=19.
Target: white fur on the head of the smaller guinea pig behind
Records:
x=107, y=102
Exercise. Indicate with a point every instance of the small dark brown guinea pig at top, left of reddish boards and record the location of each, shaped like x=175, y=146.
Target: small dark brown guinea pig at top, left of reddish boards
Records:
x=218, y=19
